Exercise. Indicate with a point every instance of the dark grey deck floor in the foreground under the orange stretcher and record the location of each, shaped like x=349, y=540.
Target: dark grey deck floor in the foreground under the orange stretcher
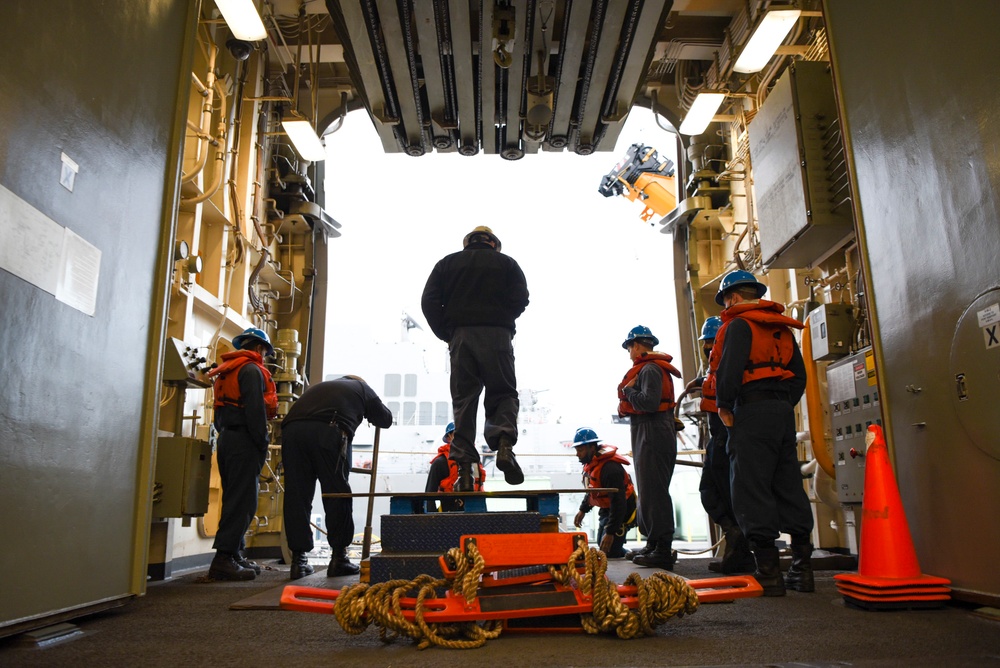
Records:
x=188, y=621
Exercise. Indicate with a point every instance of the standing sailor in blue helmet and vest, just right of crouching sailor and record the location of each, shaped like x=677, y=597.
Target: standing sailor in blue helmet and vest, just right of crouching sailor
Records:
x=646, y=397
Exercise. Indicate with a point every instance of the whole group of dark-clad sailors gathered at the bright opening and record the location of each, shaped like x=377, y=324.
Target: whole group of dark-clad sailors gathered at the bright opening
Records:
x=751, y=484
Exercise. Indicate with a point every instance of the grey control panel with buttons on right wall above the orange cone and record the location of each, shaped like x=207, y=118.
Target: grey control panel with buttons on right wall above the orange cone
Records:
x=854, y=406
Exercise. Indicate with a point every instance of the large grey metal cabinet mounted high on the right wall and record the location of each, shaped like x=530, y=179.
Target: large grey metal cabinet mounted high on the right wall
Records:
x=800, y=175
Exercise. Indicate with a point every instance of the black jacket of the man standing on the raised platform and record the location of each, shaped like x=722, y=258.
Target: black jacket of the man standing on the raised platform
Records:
x=475, y=286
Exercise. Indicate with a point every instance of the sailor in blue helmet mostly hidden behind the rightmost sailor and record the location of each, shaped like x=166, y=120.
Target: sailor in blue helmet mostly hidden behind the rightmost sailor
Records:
x=714, y=487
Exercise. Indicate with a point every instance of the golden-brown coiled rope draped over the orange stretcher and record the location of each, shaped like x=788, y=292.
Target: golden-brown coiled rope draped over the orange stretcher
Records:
x=661, y=597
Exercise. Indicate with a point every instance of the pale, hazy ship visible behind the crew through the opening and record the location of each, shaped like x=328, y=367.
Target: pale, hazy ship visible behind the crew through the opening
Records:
x=413, y=381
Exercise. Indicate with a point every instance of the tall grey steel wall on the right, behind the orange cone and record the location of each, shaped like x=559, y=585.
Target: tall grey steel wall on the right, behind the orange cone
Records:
x=918, y=89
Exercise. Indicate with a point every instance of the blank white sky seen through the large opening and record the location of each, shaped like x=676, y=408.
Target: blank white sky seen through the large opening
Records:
x=594, y=269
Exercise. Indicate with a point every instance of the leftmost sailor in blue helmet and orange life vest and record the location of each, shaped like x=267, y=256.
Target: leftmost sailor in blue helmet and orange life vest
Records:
x=245, y=398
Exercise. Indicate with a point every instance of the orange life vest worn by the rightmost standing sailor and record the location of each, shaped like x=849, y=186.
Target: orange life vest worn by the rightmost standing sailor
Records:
x=772, y=344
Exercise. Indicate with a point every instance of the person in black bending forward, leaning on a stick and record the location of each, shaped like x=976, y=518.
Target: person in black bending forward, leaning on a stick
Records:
x=316, y=438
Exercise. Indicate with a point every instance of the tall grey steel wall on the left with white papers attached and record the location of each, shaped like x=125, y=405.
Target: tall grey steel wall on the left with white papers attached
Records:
x=98, y=81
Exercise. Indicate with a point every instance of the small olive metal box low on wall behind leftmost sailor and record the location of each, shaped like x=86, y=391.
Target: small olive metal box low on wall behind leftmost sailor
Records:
x=183, y=468
